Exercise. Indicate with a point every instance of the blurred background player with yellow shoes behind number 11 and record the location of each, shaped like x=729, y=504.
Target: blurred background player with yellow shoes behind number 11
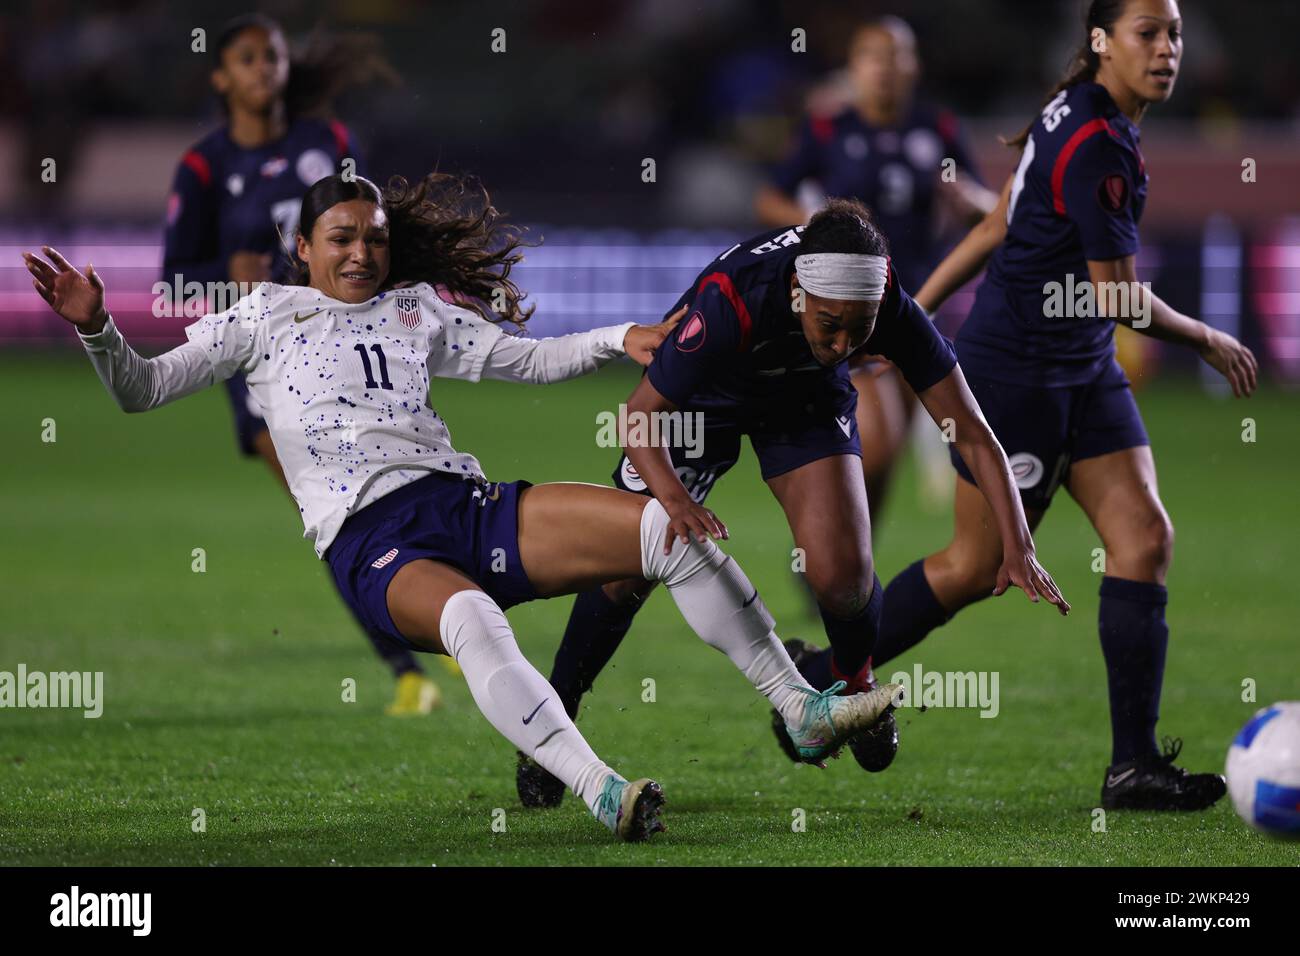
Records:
x=236, y=201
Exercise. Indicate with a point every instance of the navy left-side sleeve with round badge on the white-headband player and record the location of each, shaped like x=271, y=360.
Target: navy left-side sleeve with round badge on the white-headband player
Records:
x=709, y=336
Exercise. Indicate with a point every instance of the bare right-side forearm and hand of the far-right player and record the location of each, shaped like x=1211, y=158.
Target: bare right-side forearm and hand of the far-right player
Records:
x=1145, y=312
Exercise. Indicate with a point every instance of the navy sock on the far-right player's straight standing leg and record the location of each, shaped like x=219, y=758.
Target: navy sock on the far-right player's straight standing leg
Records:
x=1134, y=639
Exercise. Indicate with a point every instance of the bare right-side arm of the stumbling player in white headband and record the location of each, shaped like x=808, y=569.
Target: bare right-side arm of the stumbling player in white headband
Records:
x=951, y=401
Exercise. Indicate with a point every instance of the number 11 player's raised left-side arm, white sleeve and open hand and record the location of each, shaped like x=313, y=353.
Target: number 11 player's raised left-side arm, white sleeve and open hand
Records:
x=137, y=384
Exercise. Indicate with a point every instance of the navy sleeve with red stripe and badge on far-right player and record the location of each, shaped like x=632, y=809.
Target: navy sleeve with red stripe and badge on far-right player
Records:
x=1098, y=194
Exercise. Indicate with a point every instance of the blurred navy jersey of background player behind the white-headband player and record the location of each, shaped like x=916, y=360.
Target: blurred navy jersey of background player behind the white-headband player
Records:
x=895, y=171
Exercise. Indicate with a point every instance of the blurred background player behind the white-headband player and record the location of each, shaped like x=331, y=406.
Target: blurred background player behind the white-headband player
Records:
x=873, y=140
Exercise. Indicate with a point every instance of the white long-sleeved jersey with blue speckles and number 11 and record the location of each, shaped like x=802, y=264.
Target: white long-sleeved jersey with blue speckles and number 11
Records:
x=345, y=388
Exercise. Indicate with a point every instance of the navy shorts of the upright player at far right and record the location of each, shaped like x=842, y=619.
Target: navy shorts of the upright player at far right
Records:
x=1045, y=430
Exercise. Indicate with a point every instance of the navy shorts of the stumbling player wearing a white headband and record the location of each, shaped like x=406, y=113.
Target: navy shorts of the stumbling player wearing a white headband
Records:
x=782, y=445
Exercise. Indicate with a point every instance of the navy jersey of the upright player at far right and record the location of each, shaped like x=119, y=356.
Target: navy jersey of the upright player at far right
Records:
x=1078, y=194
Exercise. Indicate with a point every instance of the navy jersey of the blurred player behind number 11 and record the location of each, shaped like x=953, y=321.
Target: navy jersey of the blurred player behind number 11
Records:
x=229, y=200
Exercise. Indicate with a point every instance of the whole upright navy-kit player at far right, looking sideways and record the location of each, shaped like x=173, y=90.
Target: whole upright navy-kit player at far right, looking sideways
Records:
x=1054, y=392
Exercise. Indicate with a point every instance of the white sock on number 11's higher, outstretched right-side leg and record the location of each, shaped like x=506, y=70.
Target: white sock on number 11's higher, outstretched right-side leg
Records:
x=712, y=591
